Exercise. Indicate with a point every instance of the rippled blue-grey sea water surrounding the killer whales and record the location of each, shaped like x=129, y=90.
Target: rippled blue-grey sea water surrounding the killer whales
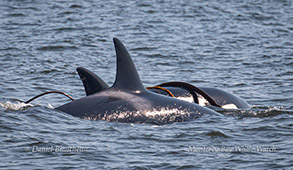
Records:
x=244, y=47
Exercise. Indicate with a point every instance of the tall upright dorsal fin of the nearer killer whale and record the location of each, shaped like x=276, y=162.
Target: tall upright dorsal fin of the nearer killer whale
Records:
x=127, y=77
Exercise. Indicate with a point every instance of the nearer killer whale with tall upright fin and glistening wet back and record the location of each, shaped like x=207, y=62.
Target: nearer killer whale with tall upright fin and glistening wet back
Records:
x=128, y=101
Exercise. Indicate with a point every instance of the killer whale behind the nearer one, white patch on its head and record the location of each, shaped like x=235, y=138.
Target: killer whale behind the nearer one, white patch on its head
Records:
x=93, y=84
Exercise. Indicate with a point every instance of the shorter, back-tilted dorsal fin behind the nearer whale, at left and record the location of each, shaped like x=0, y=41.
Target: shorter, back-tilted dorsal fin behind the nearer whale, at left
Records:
x=91, y=82
